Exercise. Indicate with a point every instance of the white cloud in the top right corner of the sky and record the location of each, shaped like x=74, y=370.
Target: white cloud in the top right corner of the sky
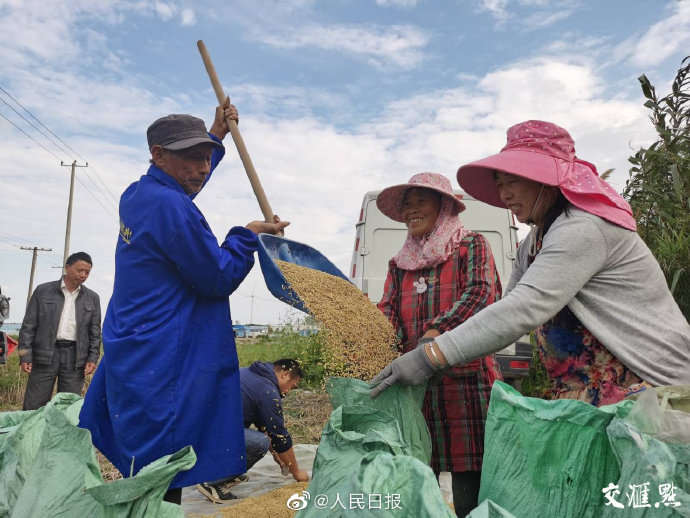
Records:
x=663, y=38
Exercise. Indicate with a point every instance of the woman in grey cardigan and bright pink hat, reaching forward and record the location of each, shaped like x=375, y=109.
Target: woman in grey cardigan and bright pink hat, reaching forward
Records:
x=606, y=323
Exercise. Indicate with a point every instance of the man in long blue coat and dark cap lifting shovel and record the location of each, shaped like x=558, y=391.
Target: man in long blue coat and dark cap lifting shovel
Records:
x=169, y=377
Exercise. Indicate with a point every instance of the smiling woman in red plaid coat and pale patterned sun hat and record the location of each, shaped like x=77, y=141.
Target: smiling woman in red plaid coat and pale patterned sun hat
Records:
x=442, y=275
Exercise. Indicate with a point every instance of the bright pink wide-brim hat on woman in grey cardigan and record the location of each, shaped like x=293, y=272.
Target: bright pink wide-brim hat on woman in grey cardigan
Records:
x=545, y=153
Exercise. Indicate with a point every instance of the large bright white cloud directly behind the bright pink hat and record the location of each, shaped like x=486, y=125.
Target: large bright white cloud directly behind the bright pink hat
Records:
x=442, y=129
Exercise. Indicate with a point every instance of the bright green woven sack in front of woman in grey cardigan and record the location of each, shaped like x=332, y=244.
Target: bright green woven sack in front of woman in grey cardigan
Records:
x=548, y=458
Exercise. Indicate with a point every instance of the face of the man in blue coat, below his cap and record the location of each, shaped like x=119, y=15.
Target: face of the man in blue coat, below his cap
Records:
x=189, y=167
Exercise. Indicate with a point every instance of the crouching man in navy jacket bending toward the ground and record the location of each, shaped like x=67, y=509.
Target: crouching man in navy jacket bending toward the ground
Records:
x=263, y=385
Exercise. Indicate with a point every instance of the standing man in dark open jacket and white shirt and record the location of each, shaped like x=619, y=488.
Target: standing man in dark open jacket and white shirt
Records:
x=60, y=336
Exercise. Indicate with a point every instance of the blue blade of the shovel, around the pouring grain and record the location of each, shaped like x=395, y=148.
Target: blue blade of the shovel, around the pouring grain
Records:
x=278, y=248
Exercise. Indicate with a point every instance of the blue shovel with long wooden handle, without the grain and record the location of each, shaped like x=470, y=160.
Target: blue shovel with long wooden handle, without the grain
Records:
x=271, y=248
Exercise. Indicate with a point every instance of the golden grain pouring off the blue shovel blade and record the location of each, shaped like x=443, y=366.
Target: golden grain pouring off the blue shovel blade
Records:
x=359, y=340
